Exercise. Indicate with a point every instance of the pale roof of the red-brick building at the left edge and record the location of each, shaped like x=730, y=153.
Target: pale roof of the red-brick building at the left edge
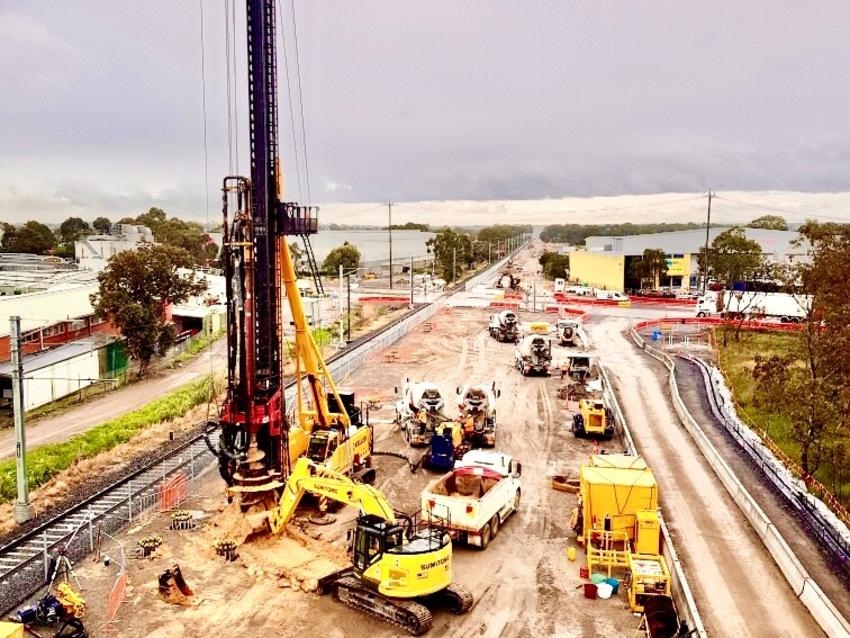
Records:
x=45, y=308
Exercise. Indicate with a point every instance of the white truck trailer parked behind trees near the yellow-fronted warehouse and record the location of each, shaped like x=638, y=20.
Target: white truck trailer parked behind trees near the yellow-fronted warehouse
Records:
x=786, y=307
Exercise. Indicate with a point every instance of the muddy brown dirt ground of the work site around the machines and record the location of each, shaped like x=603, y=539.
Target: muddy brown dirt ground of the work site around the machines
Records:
x=523, y=584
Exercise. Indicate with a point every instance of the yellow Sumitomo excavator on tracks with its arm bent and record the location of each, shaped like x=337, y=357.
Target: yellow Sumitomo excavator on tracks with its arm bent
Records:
x=397, y=567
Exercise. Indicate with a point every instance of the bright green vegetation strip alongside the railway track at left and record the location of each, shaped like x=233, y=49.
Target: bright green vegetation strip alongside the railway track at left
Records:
x=46, y=461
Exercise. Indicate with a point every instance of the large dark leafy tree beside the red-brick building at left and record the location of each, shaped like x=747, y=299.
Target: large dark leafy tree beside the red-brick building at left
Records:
x=136, y=288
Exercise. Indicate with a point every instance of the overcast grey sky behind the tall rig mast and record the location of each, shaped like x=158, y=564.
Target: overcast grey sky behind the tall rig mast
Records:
x=100, y=106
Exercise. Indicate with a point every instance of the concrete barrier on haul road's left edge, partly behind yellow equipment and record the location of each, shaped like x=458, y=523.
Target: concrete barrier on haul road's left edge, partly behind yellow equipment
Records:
x=680, y=590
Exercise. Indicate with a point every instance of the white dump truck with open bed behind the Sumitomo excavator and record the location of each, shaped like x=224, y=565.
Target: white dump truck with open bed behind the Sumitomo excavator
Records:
x=476, y=497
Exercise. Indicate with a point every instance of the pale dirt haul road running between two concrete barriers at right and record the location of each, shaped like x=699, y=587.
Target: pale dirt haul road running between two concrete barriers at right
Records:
x=739, y=589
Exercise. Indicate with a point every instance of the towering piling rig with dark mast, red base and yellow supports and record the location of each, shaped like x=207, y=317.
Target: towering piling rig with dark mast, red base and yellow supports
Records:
x=257, y=444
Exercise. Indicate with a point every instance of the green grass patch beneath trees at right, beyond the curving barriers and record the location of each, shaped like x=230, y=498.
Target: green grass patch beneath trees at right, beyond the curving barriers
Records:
x=736, y=361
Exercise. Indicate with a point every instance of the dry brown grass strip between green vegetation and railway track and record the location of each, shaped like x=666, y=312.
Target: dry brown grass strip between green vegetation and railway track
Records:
x=89, y=476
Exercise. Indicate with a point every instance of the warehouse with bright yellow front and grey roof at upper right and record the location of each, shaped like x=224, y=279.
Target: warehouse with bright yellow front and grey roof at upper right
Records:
x=608, y=261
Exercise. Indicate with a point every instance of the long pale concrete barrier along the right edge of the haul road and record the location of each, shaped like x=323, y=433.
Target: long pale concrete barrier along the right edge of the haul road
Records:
x=806, y=589
